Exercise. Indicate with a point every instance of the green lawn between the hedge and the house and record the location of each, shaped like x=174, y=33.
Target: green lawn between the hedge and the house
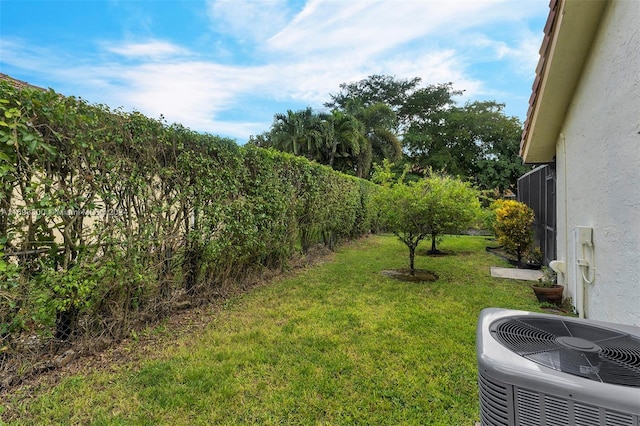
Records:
x=338, y=343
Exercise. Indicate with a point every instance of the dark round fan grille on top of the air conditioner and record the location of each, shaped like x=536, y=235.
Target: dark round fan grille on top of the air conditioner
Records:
x=588, y=351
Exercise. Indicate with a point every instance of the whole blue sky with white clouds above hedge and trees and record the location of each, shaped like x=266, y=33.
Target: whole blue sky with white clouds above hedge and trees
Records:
x=227, y=66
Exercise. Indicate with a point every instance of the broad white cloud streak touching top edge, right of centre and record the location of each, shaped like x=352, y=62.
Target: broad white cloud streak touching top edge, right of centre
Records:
x=375, y=26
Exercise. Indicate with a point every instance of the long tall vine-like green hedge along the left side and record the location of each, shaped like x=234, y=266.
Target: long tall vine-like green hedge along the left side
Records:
x=109, y=219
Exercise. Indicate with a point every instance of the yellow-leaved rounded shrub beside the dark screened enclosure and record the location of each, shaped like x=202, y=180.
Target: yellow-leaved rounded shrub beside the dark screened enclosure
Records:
x=513, y=227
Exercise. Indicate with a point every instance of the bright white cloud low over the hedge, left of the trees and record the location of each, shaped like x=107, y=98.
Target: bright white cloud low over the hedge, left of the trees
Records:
x=194, y=94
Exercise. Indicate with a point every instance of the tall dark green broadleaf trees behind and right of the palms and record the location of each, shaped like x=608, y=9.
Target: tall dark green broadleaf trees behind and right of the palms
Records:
x=476, y=141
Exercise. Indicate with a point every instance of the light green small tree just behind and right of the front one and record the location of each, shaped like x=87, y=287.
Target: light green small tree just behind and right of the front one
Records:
x=453, y=205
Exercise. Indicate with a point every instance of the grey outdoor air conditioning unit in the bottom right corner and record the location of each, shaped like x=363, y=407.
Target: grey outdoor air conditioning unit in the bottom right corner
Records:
x=549, y=370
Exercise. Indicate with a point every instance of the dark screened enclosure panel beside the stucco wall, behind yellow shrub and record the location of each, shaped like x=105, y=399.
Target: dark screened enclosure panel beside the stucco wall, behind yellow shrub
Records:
x=537, y=189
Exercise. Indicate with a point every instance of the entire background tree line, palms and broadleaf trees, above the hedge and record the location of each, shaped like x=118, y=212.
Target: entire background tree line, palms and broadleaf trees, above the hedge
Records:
x=404, y=121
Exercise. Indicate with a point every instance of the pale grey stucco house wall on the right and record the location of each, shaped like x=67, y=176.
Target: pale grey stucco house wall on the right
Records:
x=598, y=163
